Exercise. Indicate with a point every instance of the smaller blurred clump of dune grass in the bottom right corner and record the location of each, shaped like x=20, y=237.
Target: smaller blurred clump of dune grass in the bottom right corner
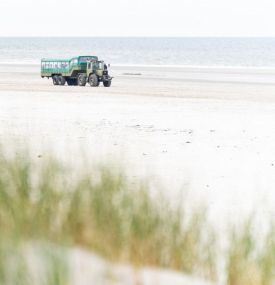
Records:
x=251, y=255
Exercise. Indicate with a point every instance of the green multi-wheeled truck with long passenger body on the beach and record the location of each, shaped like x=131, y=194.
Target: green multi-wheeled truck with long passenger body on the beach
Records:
x=76, y=71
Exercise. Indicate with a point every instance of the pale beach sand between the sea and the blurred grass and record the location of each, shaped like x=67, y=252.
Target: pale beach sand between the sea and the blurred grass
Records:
x=207, y=131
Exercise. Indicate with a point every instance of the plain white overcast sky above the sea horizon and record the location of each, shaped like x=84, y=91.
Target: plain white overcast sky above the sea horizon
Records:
x=137, y=18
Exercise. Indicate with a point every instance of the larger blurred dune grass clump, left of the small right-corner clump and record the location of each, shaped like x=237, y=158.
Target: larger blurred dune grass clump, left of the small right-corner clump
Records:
x=100, y=211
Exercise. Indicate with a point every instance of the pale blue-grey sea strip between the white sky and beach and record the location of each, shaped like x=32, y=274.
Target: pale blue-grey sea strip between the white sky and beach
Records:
x=216, y=52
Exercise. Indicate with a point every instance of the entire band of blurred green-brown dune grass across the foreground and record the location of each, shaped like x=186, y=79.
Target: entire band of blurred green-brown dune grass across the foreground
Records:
x=101, y=211
